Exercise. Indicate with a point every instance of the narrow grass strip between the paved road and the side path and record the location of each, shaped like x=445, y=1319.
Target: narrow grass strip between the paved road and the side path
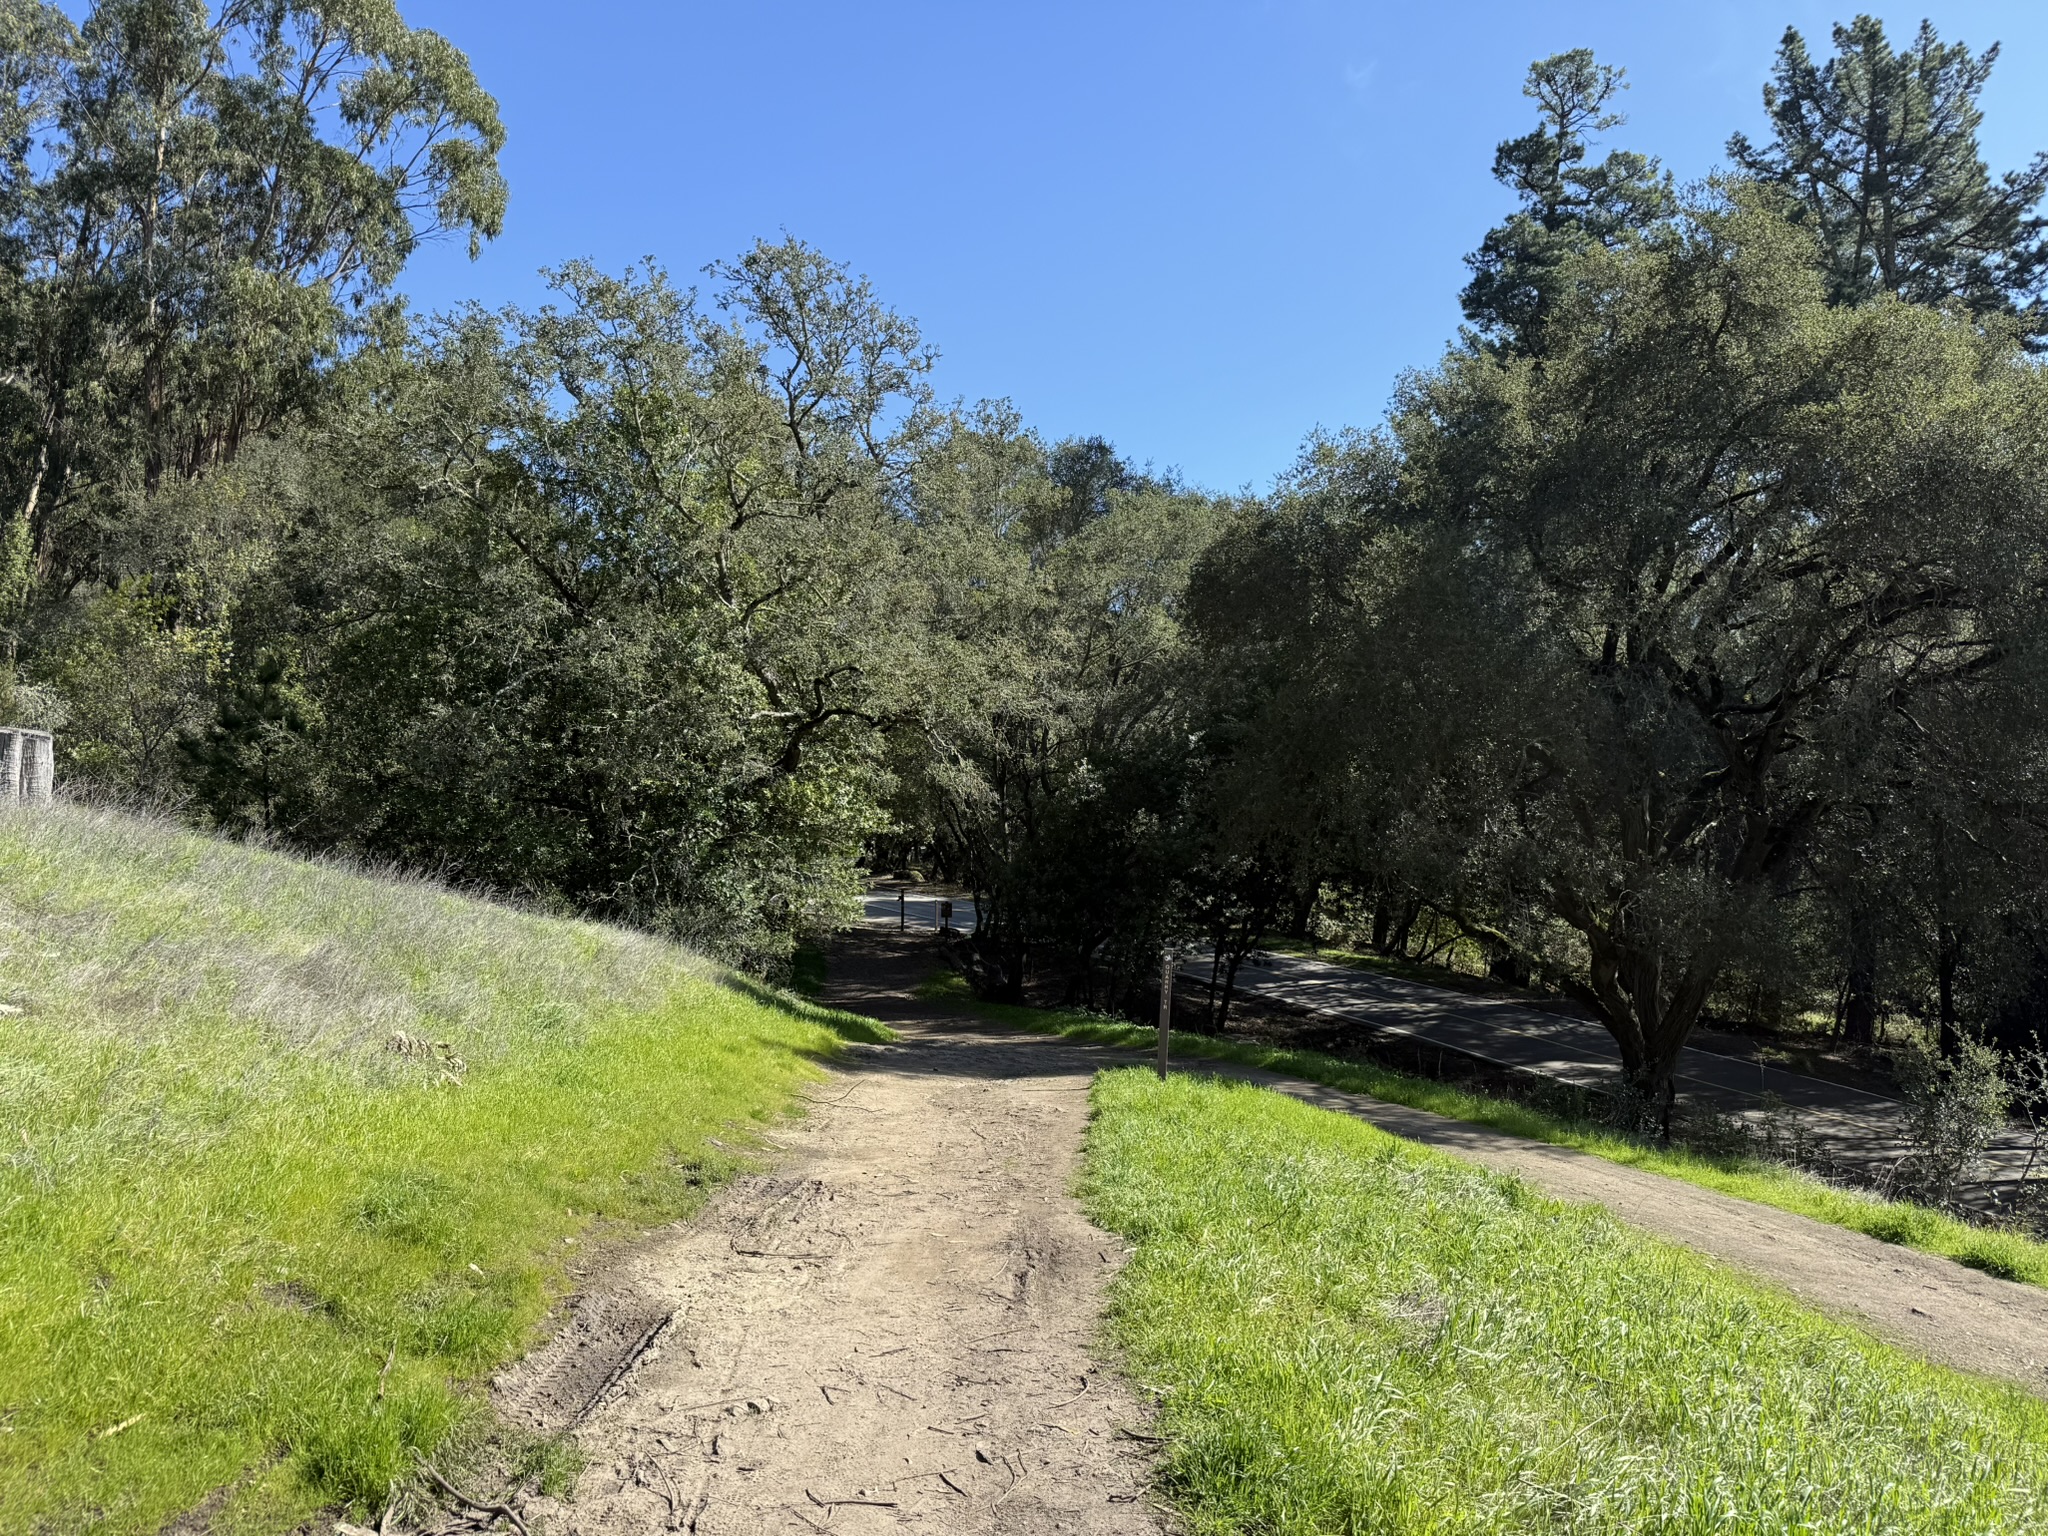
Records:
x=2006, y=1254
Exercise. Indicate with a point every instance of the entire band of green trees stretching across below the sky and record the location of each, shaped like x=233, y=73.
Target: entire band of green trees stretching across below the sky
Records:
x=1676, y=642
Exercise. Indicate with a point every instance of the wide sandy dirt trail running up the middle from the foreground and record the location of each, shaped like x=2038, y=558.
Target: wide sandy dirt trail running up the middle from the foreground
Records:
x=892, y=1330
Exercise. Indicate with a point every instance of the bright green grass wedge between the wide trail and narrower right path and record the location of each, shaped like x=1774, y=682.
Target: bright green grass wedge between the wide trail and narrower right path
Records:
x=1353, y=1334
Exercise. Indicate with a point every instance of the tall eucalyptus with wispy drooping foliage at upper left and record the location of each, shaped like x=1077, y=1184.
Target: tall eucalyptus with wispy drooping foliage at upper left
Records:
x=200, y=208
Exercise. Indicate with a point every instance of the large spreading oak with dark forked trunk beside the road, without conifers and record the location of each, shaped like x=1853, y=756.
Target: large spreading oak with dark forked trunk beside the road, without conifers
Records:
x=1613, y=642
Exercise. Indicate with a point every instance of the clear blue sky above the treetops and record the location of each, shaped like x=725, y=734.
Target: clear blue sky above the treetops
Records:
x=1199, y=230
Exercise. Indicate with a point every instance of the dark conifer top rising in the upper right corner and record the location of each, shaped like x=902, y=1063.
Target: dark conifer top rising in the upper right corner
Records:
x=1879, y=155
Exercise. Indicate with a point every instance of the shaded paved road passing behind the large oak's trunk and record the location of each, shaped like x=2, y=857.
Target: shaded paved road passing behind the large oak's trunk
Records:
x=1852, y=1127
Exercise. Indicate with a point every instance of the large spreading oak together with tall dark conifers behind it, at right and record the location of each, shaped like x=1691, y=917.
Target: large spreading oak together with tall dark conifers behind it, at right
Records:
x=1678, y=640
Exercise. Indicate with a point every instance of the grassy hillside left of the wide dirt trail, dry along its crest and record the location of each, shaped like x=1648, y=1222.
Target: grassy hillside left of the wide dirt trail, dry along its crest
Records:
x=273, y=1125
